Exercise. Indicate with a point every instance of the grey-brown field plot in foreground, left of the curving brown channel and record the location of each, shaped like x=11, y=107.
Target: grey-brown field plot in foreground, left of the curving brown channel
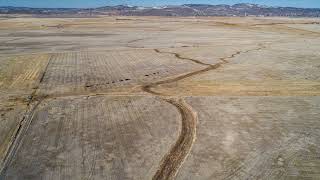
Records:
x=96, y=137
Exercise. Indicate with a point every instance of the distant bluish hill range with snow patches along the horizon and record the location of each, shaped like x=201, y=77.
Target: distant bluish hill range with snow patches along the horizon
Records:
x=243, y=9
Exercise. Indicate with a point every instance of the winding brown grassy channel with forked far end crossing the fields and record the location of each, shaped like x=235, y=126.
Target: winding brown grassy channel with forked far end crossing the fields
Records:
x=172, y=161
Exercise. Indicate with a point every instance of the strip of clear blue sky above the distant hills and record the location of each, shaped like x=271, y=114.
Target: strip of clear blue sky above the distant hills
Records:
x=99, y=3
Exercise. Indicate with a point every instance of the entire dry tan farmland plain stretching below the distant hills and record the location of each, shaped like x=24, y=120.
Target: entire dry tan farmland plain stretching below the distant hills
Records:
x=159, y=98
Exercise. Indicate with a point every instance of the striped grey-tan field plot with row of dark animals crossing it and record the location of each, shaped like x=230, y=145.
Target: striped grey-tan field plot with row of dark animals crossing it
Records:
x=80, y=71
